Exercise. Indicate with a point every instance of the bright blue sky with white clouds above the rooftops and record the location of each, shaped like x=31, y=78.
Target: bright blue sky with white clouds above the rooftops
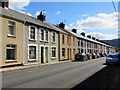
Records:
x=97, y=19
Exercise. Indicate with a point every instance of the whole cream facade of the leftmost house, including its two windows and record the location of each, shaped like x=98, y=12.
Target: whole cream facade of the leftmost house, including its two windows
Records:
x=11, y=42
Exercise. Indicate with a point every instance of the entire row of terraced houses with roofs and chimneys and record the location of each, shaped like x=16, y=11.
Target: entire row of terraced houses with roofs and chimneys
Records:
x=26, y=40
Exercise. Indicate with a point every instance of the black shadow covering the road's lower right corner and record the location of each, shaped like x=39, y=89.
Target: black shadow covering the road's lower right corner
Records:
x=108, y=77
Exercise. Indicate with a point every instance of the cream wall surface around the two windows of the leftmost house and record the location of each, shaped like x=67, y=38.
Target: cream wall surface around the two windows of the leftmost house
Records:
x=17, y=40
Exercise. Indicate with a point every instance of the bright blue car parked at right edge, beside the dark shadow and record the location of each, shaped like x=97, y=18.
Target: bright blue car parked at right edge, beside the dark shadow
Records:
x=113, y=58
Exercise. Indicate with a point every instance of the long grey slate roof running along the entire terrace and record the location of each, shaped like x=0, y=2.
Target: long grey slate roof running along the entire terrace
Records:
x=26, y=18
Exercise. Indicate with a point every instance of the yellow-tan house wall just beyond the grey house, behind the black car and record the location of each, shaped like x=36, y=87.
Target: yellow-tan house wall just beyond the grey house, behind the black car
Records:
x=69, y=47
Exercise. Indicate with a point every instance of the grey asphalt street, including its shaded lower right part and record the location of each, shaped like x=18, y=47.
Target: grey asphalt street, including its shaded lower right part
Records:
x=73, y=75
